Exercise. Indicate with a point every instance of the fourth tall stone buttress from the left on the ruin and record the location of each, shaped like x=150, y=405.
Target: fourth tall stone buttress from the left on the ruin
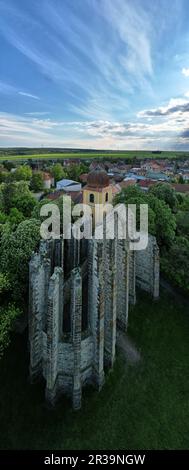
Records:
x=96, y=307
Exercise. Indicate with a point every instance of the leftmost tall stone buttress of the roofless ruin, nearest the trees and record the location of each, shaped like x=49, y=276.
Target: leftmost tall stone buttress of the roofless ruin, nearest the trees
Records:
x=39, y=274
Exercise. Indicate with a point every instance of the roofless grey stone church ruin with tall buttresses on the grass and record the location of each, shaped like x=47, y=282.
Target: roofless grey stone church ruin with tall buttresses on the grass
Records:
x=80, y=292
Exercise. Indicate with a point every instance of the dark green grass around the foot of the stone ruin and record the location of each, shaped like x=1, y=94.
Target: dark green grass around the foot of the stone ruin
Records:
x=140, y=407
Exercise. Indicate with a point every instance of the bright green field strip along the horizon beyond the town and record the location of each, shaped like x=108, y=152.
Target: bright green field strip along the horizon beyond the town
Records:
x=129, y=155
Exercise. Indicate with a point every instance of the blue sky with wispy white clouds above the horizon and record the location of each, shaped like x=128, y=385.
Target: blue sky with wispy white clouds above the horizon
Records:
x=102, y=74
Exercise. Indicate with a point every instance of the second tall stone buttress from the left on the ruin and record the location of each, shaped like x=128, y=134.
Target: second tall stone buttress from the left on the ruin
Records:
x=53, y=334
